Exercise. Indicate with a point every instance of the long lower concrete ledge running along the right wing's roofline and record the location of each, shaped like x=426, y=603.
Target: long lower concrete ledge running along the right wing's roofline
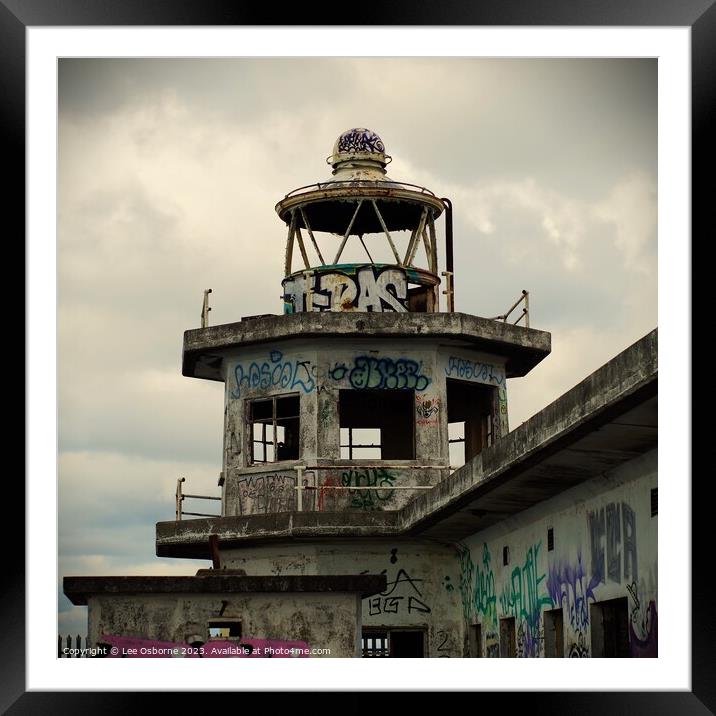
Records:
x=588, y=411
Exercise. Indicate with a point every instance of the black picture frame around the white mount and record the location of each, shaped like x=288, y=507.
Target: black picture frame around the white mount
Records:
x=699, y=15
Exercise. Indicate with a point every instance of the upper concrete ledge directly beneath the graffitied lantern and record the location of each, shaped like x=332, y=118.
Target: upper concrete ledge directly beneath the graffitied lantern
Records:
x=523, y=347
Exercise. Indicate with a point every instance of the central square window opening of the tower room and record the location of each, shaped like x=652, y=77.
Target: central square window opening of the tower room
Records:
x=377, y=424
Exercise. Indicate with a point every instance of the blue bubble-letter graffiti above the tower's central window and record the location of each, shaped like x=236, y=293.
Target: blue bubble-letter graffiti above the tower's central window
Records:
x=381, y=373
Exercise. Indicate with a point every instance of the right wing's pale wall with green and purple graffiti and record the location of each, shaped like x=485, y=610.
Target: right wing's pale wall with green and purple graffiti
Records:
x=605, y=547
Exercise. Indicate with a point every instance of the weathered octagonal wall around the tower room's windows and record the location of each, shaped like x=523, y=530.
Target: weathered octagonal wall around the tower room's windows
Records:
x=316, y=373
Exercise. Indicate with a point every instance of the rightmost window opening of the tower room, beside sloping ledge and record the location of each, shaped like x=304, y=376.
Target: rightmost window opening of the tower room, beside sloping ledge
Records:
x=470, y=419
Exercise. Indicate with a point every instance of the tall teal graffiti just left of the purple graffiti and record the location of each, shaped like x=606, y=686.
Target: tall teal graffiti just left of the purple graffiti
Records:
x=523, y=598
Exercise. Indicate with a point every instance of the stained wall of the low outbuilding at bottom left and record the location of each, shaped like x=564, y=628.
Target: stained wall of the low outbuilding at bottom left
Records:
x=325, y=621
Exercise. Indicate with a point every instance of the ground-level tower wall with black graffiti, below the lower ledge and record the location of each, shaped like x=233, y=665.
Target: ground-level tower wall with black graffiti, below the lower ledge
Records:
x=422, y=582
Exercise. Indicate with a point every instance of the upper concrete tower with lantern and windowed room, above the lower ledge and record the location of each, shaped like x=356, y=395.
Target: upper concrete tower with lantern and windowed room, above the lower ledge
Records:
x=363, y=392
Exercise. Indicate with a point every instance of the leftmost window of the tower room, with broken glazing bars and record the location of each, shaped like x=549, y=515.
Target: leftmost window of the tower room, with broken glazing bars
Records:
x=273, y=428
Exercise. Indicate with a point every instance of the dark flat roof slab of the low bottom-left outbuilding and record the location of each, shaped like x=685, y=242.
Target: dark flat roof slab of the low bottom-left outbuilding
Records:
x=78, y=589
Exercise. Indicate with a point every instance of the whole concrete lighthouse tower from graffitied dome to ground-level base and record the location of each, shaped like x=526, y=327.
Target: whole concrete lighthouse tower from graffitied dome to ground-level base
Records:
x=361, y=395
